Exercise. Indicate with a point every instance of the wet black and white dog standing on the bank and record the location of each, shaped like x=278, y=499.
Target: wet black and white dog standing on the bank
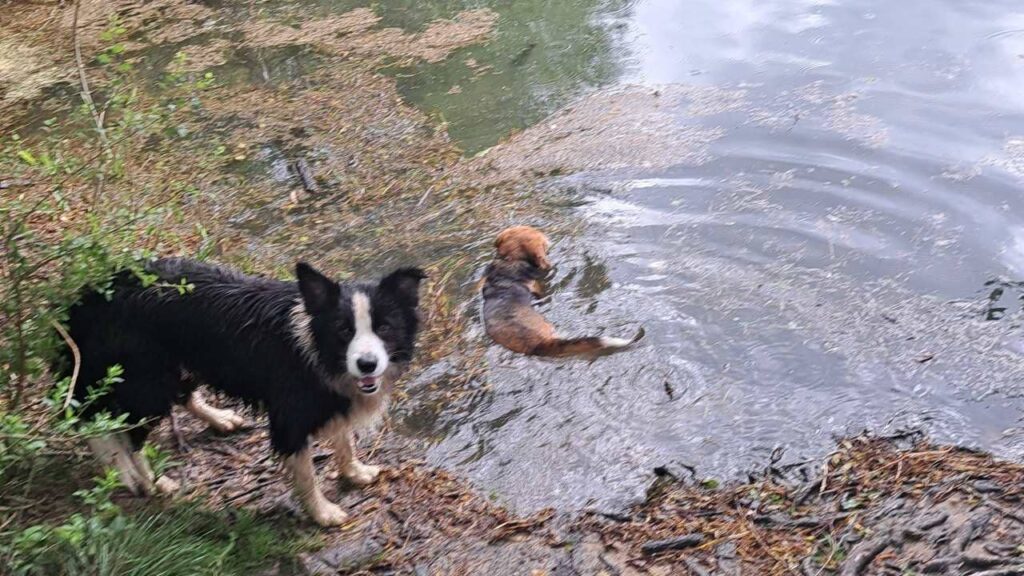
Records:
x=320, y=357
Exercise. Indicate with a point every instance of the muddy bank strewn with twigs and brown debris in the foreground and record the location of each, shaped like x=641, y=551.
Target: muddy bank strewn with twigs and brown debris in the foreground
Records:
x=873, y=507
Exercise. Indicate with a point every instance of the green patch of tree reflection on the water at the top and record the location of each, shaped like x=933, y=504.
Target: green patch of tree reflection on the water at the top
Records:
x=543, y=56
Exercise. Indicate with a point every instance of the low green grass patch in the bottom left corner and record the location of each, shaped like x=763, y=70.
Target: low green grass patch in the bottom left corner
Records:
x=184, y=541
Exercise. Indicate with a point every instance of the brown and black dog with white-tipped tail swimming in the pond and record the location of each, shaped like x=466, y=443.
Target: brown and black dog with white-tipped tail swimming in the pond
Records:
x=510, y=284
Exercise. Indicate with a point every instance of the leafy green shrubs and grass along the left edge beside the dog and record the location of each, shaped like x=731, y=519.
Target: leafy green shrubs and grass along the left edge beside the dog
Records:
x=73, y=229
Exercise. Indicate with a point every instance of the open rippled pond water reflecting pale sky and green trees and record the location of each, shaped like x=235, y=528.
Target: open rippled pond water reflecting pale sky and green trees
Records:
x=845, y=255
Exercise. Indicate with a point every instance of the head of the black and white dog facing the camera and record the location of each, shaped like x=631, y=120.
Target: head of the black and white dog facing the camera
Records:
x=358, y=333
